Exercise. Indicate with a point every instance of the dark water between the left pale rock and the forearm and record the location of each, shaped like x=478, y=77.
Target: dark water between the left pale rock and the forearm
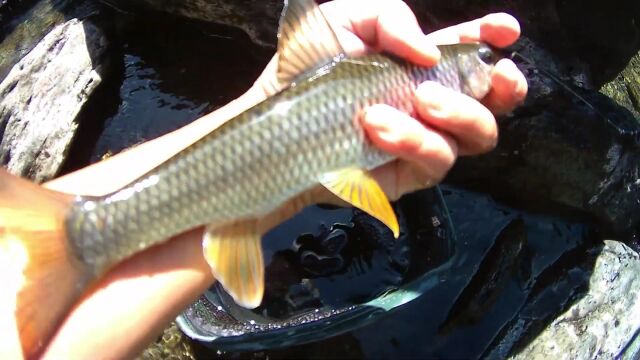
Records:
x=166, y=74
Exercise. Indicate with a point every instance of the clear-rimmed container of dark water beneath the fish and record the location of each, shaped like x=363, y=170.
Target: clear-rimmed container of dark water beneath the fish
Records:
x=331, y=271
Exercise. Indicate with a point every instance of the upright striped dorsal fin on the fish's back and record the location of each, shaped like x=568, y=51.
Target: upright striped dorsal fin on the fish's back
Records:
x=305, y=40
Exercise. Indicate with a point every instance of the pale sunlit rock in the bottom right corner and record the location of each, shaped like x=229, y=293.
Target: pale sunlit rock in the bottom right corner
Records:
x=600, y=324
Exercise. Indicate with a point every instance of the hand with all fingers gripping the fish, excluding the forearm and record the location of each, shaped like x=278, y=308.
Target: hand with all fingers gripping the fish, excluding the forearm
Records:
x=449, y=123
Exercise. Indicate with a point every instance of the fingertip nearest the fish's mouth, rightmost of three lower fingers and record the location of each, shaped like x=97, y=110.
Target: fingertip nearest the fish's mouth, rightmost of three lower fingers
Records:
x=509, y=88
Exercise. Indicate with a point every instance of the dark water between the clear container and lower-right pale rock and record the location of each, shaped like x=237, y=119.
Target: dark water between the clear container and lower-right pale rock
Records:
x=508, y=268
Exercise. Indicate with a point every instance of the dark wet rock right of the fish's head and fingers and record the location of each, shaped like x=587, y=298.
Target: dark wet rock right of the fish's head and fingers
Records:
x=556, y=149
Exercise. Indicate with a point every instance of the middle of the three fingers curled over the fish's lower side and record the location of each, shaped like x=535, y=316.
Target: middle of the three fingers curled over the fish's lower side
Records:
x=470, y=123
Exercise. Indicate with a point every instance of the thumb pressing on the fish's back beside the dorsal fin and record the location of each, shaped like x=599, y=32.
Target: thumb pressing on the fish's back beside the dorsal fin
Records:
x=384, y=25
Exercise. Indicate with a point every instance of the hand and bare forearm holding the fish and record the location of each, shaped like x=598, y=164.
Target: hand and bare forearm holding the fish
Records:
x=138, y=296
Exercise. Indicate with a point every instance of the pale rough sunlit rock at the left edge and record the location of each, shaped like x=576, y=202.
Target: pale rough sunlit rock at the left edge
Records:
x=42, y=95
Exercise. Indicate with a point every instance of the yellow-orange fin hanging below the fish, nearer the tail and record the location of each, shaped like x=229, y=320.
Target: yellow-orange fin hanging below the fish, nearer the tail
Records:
x=234, y=253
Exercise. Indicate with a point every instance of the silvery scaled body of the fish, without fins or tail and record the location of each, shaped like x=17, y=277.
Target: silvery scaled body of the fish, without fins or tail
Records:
x=261, y=158
